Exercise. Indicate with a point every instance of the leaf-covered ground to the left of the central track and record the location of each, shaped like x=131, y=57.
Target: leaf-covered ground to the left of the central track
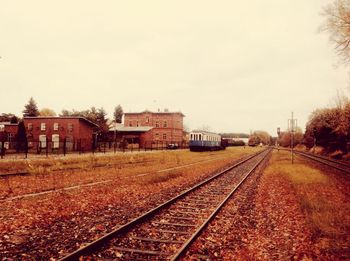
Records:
x=50, y=225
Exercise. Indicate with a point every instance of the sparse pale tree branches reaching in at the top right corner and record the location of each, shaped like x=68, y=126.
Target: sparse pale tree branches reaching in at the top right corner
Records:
x=338, y=24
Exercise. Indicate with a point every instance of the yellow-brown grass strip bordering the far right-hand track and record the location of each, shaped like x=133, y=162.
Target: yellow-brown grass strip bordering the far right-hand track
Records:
x=326, y=208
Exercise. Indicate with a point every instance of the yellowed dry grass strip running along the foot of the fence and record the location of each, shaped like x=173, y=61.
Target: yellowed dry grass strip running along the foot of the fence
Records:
x=56, y=173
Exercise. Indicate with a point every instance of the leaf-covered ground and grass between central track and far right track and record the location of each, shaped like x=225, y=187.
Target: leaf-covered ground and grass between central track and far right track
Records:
x=268, y=219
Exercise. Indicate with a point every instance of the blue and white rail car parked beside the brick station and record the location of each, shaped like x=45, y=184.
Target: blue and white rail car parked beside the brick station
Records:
x=206, y=141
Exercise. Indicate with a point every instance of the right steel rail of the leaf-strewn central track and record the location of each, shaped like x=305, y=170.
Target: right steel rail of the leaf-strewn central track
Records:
x=183, y=249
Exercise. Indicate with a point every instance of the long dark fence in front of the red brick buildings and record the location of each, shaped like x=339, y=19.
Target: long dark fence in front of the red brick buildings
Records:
x=79, y=146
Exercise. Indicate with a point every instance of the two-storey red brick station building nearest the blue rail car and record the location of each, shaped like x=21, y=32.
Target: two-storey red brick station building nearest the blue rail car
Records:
x=167, y=127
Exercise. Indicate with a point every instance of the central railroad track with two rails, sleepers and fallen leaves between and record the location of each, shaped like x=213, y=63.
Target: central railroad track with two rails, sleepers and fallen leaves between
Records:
x=165, y=232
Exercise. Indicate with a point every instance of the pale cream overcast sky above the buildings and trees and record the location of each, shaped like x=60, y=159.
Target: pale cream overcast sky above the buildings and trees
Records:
x=235, y=66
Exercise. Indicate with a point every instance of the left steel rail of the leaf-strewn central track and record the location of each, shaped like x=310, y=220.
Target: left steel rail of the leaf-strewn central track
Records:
x=89, y=248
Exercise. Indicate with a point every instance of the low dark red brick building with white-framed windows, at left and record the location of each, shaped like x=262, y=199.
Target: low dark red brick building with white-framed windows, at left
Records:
x=75, y=133
